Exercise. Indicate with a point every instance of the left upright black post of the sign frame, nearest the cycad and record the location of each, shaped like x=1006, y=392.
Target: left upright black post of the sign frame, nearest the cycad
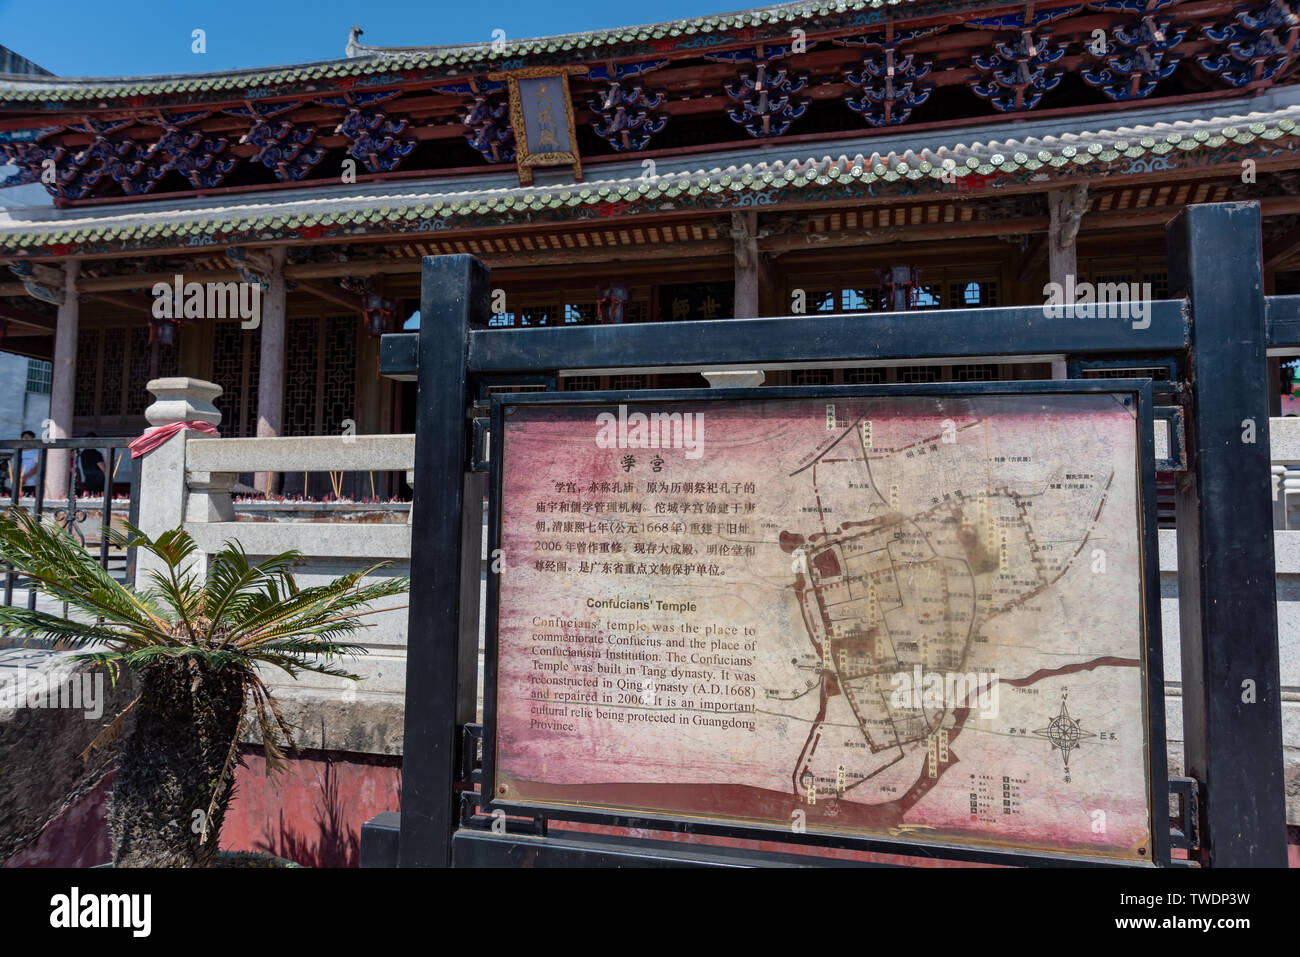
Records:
x=453, y=293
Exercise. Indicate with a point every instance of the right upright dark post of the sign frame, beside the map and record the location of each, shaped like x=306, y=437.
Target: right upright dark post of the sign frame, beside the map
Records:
x=1227, y=587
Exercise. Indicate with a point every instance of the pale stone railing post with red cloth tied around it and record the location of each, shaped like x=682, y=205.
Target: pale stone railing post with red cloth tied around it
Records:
x=164, y=500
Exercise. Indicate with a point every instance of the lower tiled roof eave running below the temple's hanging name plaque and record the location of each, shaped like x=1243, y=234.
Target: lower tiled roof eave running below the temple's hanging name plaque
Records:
x=1147, y=148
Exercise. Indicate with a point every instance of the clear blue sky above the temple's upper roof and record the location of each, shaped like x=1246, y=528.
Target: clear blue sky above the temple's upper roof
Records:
x=92, y=38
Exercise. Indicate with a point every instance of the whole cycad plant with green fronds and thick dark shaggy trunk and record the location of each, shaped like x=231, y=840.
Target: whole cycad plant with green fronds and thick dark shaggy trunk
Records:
x=194, y=644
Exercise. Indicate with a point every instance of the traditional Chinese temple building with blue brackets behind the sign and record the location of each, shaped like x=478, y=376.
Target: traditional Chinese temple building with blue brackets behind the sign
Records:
x=855, y=157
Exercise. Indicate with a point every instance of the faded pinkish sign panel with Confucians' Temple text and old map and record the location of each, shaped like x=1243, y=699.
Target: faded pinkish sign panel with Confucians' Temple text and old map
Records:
x=904, y=616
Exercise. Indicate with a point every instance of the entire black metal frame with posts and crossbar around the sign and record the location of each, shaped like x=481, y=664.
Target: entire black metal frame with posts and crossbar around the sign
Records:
x=1217, y=331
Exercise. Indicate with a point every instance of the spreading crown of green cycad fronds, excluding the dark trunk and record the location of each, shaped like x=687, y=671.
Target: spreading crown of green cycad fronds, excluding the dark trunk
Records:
x=241, y=616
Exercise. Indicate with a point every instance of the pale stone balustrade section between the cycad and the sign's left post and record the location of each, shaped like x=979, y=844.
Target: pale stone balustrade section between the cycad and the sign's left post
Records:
x=188, y=482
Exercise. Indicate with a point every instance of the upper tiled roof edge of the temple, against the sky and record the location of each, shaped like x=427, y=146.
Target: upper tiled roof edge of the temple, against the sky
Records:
x=376, y=62
